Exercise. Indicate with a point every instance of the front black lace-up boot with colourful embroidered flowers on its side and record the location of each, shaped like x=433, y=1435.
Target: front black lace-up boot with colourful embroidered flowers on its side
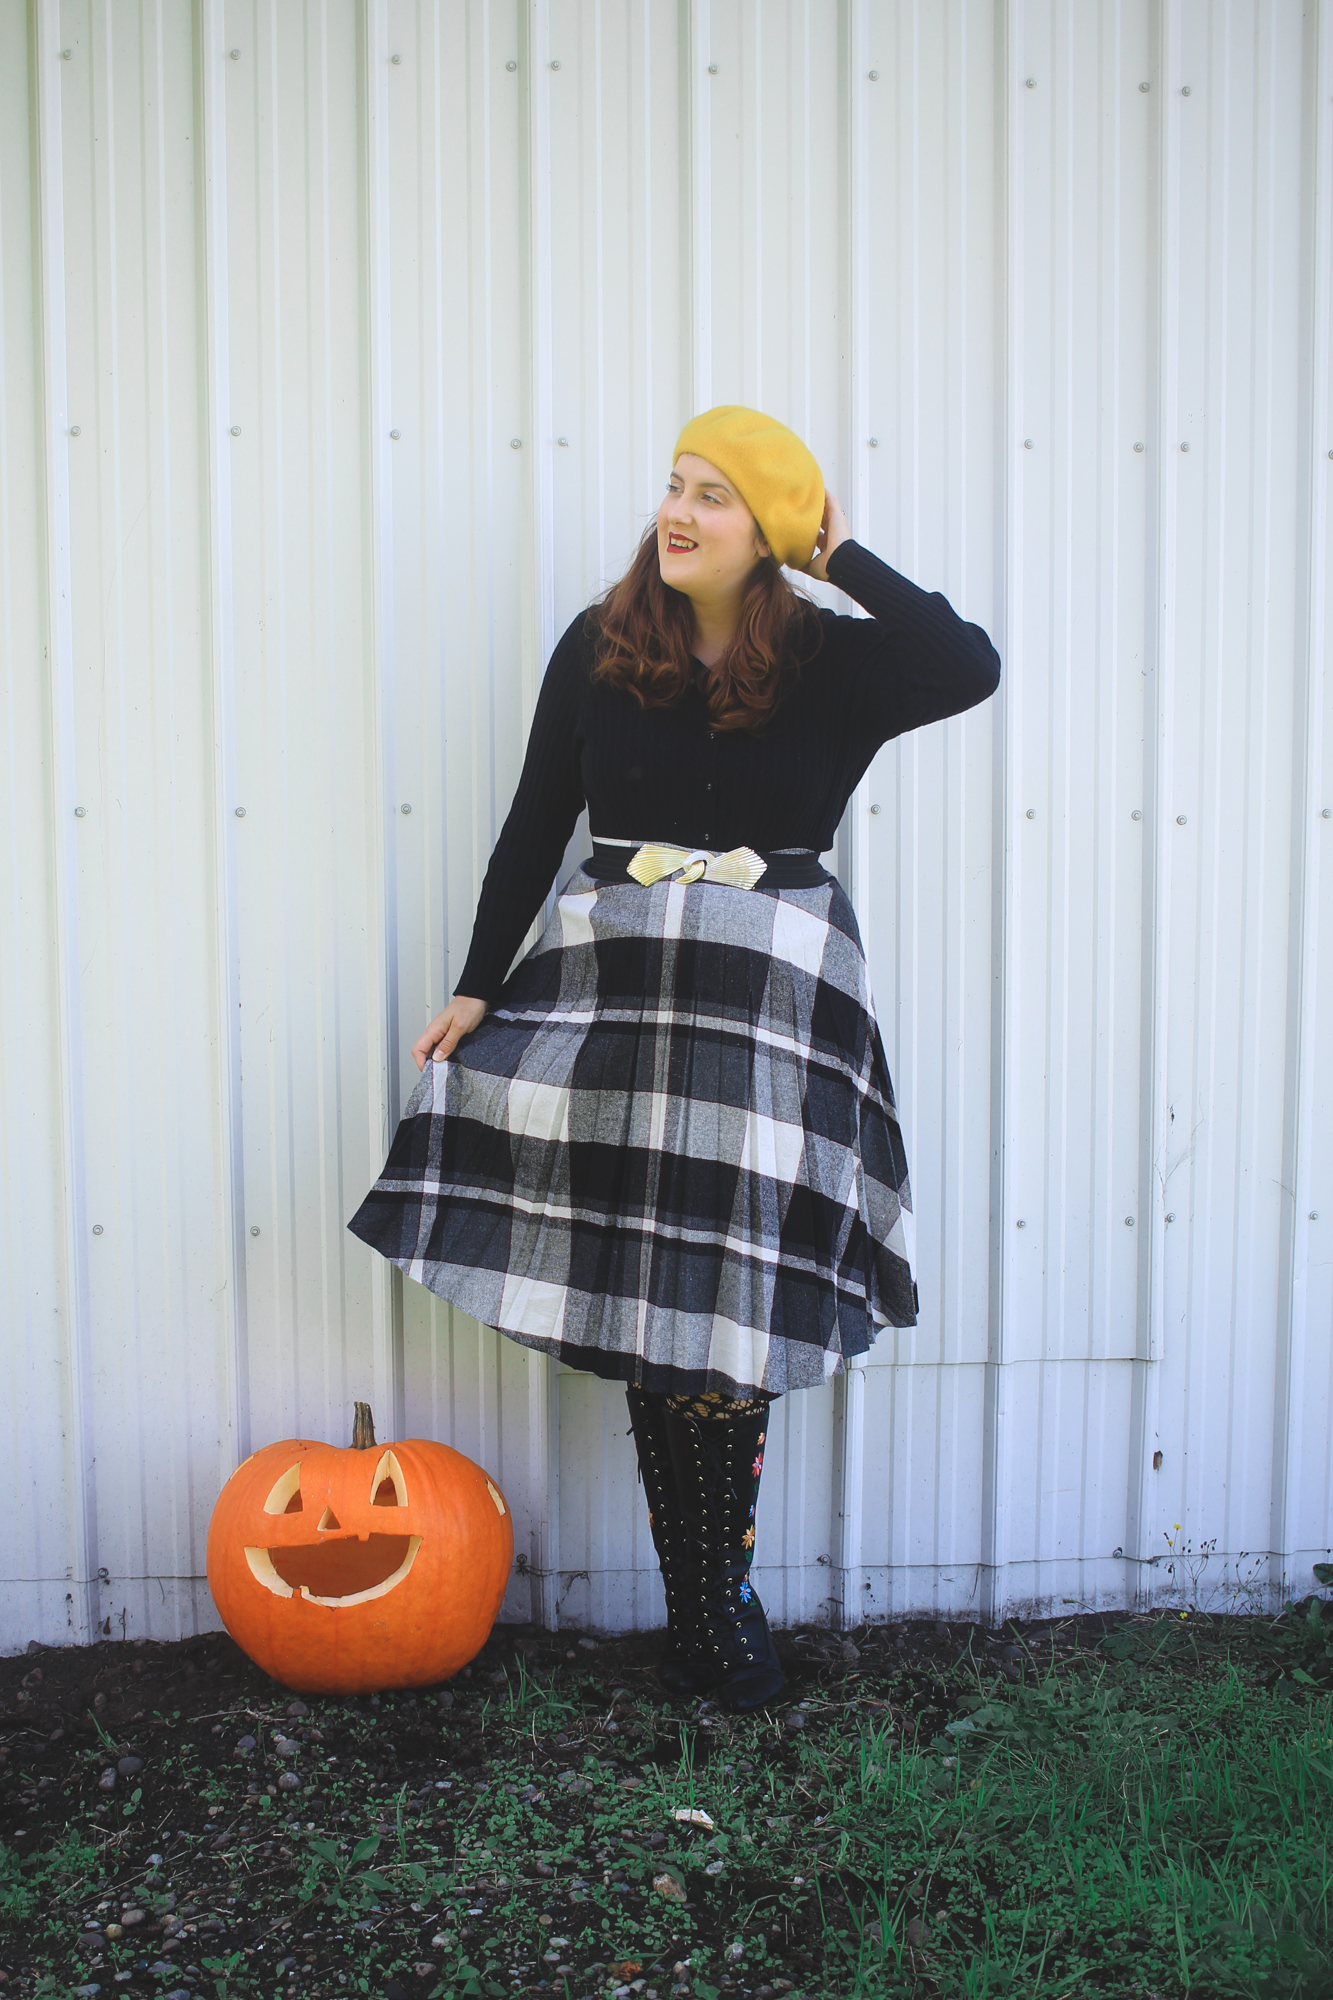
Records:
x=718, y=1465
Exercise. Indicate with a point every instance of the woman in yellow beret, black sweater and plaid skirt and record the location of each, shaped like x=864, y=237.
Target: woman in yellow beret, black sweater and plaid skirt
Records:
x=665, y=1145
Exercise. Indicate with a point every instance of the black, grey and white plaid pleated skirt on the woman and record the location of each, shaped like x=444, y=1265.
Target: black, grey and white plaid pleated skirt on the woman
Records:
x=670, y=1155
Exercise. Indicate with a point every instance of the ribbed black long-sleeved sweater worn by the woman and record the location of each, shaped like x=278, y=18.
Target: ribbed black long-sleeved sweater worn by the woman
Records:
x=668, y=775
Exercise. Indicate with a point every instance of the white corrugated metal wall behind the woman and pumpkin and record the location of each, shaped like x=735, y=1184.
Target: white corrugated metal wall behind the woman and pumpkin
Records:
x=343, y=349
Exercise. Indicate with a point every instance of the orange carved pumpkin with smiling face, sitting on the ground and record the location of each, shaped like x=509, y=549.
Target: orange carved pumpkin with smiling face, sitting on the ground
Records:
x=351, y=1571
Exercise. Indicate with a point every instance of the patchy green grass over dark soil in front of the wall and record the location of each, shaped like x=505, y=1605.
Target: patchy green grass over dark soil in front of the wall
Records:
x=1138, y=1811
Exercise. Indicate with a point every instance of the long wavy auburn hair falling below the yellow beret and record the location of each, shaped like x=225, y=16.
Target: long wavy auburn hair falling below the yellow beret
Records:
x=645, y=631
